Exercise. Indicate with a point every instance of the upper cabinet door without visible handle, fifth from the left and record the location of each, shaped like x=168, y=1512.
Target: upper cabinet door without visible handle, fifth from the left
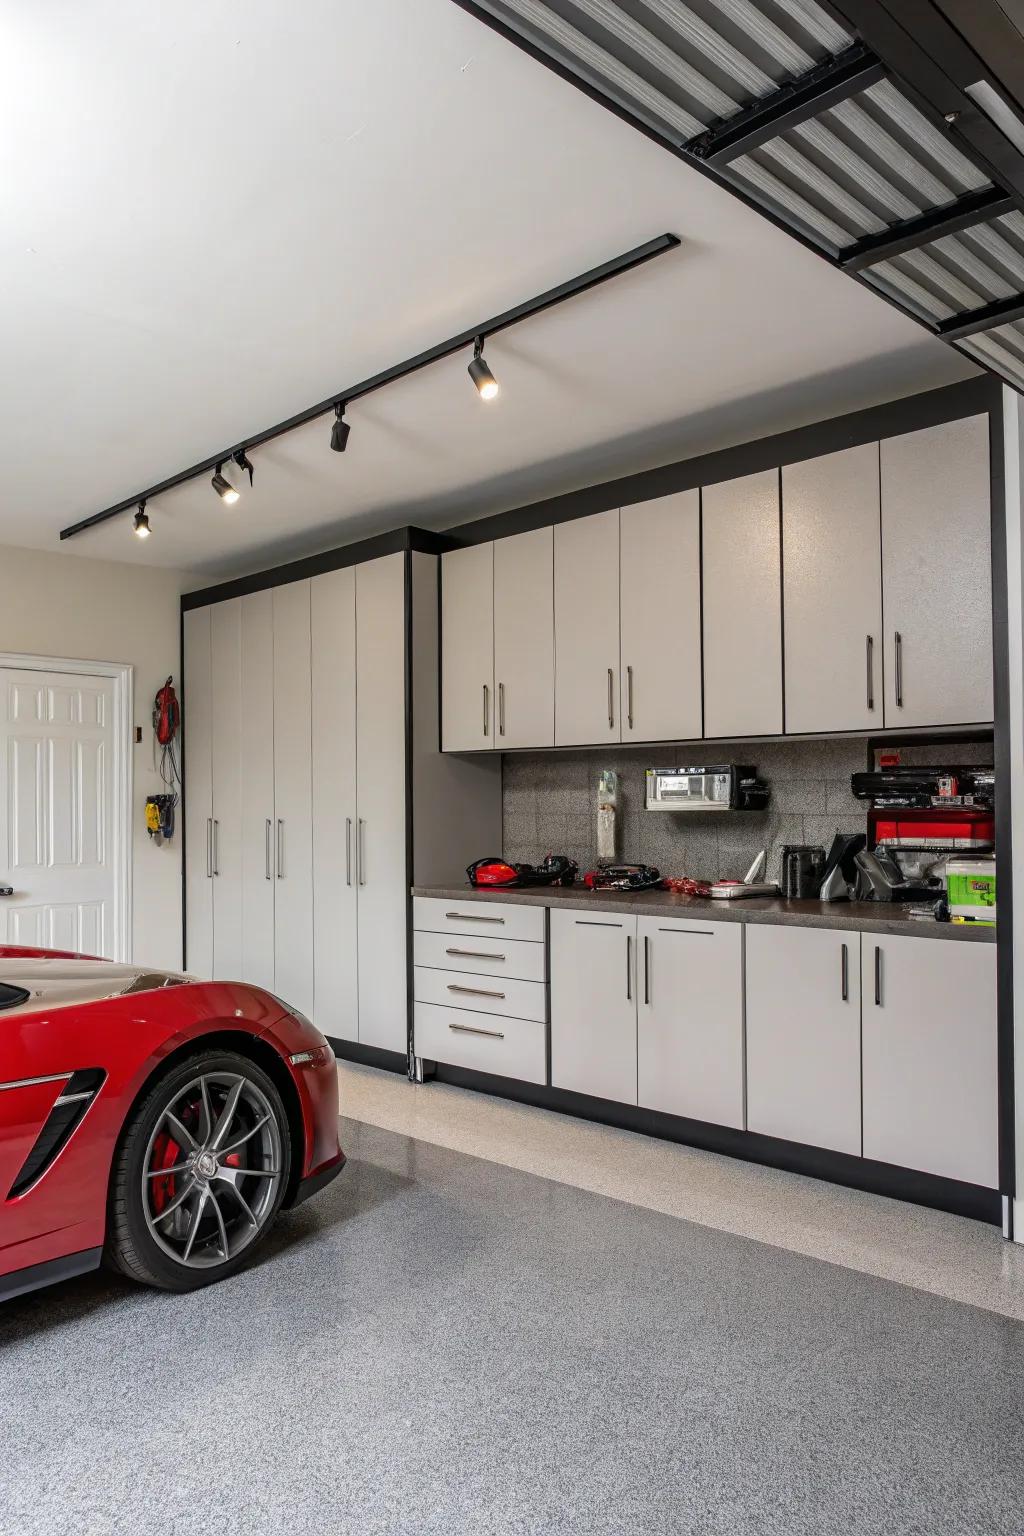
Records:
x=742, y=607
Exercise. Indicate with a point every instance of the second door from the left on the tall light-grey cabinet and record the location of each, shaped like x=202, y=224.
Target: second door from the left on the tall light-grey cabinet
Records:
x=226, y=737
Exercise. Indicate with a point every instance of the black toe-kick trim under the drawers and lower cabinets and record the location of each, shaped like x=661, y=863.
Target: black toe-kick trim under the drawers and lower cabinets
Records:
x=837, y=1168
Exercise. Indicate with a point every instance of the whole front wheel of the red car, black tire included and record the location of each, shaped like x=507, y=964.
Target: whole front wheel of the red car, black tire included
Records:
x=210, y=1214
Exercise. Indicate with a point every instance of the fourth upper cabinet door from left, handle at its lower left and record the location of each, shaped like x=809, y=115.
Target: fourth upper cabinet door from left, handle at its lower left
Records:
x=659, y=577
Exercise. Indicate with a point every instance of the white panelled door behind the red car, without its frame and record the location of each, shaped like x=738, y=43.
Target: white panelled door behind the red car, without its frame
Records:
x=58, y=846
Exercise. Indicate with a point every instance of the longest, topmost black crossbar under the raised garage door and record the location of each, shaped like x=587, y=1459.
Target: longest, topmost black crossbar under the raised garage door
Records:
x=821, y=88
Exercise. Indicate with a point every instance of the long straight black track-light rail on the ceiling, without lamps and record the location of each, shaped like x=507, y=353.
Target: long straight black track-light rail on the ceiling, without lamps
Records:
x=444, y=349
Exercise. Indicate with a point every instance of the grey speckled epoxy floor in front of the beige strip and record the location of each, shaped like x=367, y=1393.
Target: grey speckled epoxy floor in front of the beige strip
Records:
x=443, y=1345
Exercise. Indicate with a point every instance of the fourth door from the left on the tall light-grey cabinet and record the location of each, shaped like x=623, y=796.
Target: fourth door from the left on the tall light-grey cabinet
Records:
x=292, y=796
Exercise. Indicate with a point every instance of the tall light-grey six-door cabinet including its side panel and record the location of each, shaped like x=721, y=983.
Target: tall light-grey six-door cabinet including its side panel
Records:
x=300, y=755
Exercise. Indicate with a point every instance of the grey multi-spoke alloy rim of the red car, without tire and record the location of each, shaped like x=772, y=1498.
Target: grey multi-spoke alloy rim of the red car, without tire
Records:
x=222, y=1185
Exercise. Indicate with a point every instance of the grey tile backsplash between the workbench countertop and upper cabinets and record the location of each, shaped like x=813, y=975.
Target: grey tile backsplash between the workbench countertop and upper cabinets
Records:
x=550, y=799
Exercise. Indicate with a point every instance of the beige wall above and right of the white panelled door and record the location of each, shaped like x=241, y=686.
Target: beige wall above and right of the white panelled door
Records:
x=55, y=604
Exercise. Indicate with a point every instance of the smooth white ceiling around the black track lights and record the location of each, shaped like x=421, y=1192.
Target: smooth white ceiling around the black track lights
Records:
x=217, y=213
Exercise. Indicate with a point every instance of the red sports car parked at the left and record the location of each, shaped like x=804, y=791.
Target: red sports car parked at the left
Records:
x=153, y=1121
